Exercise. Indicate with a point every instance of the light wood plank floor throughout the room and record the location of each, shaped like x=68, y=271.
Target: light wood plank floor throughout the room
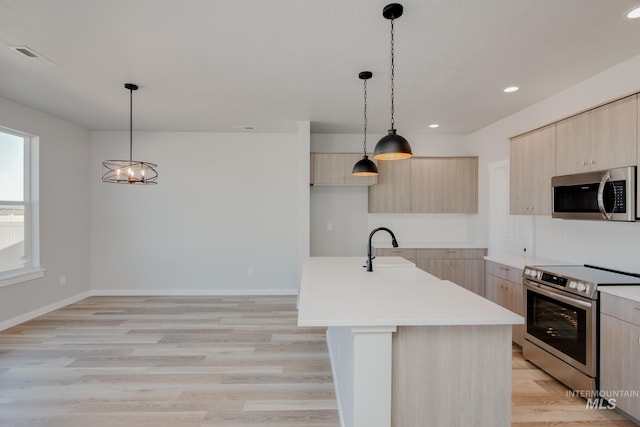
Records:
x=203, y=361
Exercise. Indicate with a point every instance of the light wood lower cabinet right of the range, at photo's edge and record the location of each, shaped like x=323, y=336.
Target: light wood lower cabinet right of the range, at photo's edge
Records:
x=620, y=352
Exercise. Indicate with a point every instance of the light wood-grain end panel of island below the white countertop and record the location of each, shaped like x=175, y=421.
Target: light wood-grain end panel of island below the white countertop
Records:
x=451, y=376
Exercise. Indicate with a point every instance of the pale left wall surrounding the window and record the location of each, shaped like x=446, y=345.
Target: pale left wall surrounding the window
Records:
x=64, y=212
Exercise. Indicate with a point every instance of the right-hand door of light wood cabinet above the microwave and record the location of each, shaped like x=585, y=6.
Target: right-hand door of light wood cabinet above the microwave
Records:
x=614, y=134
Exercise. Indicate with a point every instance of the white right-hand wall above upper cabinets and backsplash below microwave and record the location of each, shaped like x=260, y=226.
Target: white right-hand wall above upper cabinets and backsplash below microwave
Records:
x=613, y=245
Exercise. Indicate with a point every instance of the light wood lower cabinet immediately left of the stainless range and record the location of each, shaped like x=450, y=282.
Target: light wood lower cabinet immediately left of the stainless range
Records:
x=504, y=287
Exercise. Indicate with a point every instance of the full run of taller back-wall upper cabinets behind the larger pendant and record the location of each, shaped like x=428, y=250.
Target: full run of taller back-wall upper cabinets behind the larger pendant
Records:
x=426, y=185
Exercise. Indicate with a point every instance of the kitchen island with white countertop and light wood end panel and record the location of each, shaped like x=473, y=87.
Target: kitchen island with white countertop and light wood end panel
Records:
x=406, y=348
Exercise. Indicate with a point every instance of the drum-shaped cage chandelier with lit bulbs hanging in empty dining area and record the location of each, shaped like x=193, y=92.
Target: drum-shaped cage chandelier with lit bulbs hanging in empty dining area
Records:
x=129, y=171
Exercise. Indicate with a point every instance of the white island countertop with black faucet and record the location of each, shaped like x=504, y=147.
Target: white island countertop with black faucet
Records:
x=339, y=292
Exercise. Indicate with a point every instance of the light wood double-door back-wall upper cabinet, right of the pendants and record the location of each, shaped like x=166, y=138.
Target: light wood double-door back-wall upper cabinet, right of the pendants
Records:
x=444, y=185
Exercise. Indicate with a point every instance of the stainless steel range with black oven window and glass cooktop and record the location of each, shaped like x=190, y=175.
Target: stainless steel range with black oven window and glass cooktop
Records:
x=562, y=317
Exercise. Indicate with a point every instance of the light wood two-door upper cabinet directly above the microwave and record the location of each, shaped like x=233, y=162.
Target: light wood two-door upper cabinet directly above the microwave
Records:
x=602, y=138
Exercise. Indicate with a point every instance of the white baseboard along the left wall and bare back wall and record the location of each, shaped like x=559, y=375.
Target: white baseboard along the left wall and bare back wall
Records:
x=141, y=292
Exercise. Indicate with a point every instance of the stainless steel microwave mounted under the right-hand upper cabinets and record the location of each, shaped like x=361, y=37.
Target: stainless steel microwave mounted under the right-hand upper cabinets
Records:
x=605, y=195
